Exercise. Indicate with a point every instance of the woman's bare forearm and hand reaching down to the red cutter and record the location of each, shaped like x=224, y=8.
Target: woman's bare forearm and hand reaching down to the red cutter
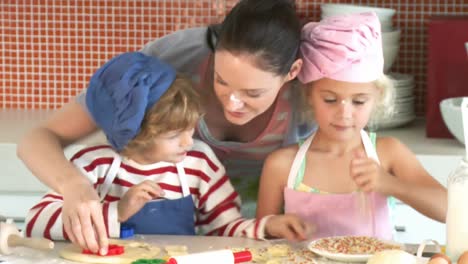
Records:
x=81, y=211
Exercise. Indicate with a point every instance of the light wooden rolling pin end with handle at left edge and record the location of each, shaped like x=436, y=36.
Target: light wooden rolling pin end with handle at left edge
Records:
x=10, y=237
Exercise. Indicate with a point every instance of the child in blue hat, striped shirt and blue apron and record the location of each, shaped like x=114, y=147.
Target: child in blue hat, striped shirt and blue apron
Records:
x=155, y=177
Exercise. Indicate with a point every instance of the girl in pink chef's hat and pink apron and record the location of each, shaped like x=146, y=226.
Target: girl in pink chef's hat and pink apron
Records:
x=339, y=179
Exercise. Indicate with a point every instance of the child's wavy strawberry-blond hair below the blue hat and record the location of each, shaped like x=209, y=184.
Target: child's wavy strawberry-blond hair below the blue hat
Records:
x=179, y=108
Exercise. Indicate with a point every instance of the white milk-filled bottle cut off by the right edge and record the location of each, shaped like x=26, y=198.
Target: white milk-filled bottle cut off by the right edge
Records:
x=457, y=212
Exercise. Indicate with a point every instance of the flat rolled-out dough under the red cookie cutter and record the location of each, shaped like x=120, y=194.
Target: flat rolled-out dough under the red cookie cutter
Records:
x=134, y=250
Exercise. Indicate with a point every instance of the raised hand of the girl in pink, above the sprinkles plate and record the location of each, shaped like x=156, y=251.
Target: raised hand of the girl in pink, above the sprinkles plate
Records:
x=368, y=174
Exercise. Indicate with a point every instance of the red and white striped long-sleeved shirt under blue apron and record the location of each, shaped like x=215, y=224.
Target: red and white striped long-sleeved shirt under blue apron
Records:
x=217, y=203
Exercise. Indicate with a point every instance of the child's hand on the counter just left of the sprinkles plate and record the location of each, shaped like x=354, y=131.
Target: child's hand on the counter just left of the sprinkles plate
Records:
x=288, y=226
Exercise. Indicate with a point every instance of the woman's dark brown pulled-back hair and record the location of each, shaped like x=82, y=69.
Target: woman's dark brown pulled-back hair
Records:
x=267, y=29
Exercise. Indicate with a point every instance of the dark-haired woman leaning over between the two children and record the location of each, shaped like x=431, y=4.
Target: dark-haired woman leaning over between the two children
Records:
x=242, y=69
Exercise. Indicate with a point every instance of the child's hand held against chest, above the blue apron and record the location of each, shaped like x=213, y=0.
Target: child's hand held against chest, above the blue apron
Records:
x=136, y=197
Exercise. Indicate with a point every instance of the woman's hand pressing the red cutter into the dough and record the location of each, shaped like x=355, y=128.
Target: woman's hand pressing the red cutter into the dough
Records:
x=82, y=217
